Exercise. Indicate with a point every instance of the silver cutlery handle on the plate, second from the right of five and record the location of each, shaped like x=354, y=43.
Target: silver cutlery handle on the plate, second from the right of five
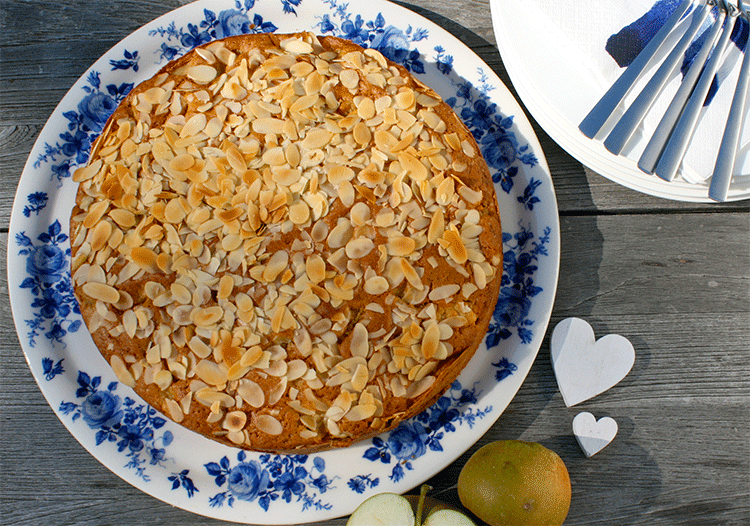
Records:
x=683, y=133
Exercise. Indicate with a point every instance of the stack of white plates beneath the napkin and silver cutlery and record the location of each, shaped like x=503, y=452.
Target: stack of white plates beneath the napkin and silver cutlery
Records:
x=554, y=52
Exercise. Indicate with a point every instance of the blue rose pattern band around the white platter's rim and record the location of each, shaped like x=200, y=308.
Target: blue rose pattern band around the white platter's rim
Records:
x=122, y=427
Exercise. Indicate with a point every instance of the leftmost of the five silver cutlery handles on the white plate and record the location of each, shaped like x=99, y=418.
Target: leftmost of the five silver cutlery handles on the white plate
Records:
x=599, y=114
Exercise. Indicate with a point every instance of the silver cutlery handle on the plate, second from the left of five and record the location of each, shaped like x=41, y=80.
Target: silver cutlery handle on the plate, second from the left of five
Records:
x=627, y=124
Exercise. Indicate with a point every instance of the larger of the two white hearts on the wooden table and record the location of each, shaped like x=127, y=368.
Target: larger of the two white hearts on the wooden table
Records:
x=585, y=367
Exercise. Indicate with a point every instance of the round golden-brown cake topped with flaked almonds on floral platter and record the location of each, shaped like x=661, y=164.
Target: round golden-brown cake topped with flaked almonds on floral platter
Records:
x=286, y=243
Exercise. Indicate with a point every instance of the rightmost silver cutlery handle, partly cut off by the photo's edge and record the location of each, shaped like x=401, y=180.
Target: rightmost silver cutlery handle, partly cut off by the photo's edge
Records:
x=722, y=175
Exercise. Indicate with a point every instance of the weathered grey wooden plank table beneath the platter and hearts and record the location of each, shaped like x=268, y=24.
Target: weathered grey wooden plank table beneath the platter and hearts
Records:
x=672, y=277
